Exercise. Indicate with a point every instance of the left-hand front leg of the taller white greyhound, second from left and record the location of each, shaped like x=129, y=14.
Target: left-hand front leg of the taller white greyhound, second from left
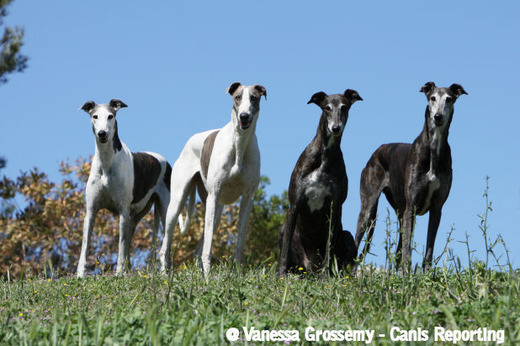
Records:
x=211, y=222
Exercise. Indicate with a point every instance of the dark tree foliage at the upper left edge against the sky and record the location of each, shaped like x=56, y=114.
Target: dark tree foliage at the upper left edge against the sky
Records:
x=11, y=58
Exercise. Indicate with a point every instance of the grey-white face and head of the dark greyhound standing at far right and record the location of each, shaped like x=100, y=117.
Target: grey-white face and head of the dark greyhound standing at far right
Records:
x=440, y=103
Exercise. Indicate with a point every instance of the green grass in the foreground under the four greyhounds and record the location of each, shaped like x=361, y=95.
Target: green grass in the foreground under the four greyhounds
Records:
x=186, y=308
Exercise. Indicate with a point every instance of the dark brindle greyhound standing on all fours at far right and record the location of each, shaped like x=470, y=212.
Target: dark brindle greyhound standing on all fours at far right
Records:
x=415, y=178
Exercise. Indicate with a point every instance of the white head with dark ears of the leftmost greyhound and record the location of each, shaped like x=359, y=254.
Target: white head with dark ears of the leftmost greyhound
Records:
x=103, y=118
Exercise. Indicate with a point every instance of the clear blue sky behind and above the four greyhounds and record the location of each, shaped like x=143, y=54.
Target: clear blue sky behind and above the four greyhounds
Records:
x=171, y=62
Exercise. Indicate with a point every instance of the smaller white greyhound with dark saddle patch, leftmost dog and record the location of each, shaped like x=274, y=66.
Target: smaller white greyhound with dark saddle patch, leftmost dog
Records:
x=123, y=182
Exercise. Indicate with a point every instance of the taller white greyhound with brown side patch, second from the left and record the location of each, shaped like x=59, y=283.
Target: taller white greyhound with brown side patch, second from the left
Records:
x=222, y=165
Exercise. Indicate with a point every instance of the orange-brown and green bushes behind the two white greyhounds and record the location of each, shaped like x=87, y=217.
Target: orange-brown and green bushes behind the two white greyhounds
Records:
x=46, y=233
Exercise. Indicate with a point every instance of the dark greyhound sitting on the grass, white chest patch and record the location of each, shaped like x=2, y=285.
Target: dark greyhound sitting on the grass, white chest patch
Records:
x=318, y=184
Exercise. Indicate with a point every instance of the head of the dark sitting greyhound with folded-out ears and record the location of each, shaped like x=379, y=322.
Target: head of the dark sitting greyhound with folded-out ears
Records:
x=335, y=109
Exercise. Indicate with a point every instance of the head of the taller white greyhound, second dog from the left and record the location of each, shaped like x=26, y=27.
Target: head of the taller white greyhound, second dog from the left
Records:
x=246, y=104
